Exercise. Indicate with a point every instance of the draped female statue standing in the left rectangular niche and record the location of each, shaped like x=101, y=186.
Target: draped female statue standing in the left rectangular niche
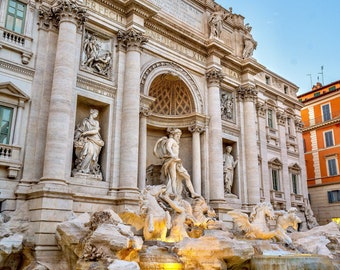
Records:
x=88, y=144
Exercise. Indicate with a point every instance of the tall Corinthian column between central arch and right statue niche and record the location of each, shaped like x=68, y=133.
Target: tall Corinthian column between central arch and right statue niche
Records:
x=214, y=78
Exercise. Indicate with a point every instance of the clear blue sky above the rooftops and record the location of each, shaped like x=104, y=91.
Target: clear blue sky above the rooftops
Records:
x=295, y=37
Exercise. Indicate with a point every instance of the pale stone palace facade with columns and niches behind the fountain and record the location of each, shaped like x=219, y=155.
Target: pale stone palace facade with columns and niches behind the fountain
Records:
x=133, y=70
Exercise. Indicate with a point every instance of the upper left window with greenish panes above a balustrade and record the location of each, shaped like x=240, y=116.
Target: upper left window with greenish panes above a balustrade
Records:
x=15, y=19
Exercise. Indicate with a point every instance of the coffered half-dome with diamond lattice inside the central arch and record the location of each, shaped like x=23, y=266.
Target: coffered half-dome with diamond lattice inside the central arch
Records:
x=172, y=96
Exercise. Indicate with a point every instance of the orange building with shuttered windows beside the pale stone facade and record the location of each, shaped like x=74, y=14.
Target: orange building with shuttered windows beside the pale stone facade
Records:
x=321, y=134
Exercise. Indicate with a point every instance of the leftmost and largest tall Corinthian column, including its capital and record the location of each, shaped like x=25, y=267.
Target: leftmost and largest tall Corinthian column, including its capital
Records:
x=56, y=162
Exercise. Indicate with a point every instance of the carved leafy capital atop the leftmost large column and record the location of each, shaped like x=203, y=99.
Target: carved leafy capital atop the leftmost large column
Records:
x=69, y=10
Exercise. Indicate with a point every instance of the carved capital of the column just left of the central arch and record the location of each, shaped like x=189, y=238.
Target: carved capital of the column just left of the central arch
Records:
x=131, y=39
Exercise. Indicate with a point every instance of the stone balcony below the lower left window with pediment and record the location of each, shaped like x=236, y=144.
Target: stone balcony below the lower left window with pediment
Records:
x=10, y=159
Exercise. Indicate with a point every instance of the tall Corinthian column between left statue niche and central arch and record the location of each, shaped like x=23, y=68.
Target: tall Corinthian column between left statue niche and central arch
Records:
x=133, y=41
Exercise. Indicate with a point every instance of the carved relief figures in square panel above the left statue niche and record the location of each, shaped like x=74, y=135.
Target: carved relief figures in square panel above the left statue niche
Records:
x=96, y=59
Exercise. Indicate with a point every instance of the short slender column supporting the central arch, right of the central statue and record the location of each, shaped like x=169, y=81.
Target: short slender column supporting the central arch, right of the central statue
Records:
x=196, y=156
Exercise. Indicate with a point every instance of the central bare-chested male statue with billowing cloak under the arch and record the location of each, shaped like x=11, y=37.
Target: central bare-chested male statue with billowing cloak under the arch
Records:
x=167, y=149
